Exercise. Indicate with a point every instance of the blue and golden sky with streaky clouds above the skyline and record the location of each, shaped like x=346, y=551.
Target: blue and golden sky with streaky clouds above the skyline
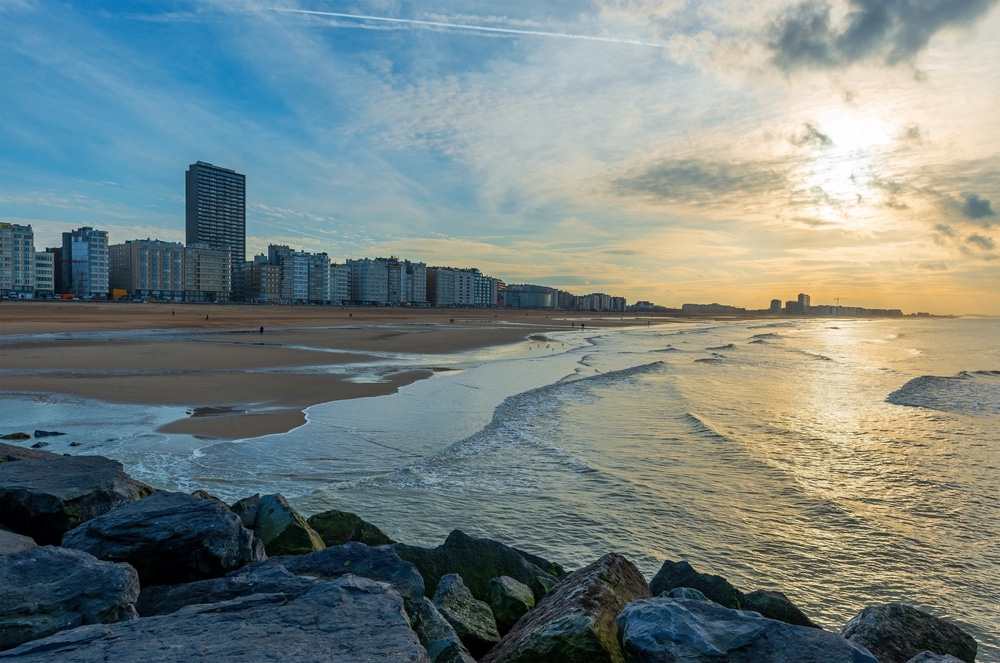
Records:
x=730, y=151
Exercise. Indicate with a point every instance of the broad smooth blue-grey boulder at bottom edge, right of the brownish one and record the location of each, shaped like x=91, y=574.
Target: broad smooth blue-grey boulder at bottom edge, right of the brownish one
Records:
x=664, y=630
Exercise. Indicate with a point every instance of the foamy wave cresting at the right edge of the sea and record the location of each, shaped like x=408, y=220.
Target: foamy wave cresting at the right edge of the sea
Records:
x=974, y=393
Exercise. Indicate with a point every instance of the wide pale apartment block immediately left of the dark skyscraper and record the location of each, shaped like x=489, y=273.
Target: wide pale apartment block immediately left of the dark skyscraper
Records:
x=147, y=268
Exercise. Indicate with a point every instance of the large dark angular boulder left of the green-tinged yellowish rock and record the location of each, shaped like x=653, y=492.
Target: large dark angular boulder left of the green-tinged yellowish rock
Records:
x=170, y=538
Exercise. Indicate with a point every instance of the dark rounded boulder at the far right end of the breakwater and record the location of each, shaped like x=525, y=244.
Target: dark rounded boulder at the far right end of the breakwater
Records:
x=895, y=633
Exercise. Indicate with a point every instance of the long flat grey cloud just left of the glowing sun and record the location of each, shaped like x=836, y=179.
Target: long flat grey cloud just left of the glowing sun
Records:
x=696, y=179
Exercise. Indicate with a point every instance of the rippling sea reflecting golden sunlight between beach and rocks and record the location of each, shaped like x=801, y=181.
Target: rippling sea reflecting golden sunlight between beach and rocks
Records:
x=844, y=462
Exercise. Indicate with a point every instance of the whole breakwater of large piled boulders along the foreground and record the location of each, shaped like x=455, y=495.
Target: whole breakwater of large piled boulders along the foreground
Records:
x=174, y=577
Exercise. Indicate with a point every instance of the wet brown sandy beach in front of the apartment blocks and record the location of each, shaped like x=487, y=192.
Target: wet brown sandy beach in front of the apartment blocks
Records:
x=235, y=381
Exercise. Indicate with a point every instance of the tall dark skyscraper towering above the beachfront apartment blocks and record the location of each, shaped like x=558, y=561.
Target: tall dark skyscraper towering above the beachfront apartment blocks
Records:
x=216, y=214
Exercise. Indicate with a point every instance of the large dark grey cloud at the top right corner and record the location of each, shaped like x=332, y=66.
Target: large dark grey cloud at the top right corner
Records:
x=891, y=31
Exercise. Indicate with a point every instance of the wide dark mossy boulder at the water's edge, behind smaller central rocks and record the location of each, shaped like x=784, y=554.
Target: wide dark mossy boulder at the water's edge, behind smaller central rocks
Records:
x=476, y=560
